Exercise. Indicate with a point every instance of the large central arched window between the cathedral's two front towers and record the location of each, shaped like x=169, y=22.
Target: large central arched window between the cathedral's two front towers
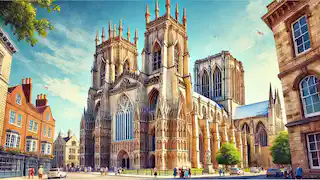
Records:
x=124, y=119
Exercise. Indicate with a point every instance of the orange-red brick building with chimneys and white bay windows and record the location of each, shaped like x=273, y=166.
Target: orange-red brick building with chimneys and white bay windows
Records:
x=27, y=127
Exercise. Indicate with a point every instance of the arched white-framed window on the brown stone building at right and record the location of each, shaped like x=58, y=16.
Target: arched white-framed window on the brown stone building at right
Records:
x=310, y=95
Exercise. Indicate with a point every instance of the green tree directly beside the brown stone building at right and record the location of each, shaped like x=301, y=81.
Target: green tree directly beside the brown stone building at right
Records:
x=280, y=149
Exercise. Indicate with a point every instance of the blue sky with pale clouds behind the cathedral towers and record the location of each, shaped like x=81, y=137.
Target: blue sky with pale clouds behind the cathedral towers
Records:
x=62, y=61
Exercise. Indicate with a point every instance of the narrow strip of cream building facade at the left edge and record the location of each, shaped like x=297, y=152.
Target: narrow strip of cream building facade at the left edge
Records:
x=7, y=49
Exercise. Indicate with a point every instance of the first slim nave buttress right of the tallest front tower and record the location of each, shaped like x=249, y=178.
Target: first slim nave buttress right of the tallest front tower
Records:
x=195, y=141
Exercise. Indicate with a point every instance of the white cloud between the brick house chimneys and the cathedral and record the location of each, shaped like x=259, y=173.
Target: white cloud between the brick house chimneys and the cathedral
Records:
x=65, y=89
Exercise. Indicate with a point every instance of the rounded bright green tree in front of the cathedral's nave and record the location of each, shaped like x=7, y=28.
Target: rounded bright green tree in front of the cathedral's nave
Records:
x=228, y=155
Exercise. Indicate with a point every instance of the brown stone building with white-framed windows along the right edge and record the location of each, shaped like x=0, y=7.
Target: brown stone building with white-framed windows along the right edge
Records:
x=296, y=28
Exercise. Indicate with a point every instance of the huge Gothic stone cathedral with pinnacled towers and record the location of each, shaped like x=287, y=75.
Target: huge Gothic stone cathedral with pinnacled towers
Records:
x=156, y=117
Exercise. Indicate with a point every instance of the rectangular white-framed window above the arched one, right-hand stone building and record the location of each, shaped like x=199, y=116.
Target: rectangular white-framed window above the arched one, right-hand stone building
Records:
x=301, y=37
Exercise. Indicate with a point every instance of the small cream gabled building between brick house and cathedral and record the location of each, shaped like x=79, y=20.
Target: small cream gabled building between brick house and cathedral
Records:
x=66, y=151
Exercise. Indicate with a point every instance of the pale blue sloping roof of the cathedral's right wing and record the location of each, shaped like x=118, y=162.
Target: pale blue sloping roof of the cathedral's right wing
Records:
x=251, y=110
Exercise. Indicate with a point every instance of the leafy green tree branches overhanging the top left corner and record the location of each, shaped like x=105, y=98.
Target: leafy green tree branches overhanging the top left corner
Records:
x=20, y=15
